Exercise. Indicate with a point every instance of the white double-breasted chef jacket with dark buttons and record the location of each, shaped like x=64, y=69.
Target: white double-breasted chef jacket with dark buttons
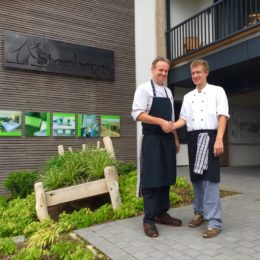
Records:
x=200, y=110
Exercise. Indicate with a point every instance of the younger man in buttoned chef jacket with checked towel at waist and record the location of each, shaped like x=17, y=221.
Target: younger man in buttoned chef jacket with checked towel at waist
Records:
x=205, y=113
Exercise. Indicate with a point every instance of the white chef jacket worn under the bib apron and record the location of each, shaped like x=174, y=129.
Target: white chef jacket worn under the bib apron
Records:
x=143, y=98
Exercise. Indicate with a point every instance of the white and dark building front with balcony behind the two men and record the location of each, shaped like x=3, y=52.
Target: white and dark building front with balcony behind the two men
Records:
x=226, y=33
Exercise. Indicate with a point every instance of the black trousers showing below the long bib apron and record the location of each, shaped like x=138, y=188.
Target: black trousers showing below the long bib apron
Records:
x=156, y=202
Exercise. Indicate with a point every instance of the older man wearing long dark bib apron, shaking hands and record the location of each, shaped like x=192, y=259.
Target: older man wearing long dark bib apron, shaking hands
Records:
x=153, y=106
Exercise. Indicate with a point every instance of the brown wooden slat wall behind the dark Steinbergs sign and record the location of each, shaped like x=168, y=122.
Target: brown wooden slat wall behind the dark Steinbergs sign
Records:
x=107, y=24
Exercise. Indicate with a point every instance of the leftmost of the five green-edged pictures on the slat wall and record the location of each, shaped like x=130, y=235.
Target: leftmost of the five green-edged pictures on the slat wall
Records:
x=10, y=123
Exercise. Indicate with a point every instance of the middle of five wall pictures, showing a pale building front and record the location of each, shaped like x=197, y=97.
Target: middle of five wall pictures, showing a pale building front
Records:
x=63, y=124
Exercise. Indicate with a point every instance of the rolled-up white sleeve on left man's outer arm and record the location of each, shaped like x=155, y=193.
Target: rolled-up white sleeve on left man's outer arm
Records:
x=140, y=102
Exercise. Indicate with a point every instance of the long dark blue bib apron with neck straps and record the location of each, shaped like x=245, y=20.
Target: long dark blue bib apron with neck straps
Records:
x=158, y=152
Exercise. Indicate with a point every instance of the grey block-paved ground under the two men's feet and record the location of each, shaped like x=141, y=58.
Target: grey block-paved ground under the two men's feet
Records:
x=240, y=238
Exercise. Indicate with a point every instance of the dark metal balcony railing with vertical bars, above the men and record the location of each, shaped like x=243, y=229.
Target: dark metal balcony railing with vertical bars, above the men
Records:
x=215, y=23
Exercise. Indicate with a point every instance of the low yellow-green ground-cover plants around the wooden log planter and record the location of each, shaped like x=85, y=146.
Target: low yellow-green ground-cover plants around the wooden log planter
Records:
x=48, y=240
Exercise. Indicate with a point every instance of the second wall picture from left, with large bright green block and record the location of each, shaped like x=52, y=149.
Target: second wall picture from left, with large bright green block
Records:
x=37, y=124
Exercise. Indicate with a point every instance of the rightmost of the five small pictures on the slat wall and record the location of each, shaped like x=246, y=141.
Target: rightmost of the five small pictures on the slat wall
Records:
x=110, y=125
